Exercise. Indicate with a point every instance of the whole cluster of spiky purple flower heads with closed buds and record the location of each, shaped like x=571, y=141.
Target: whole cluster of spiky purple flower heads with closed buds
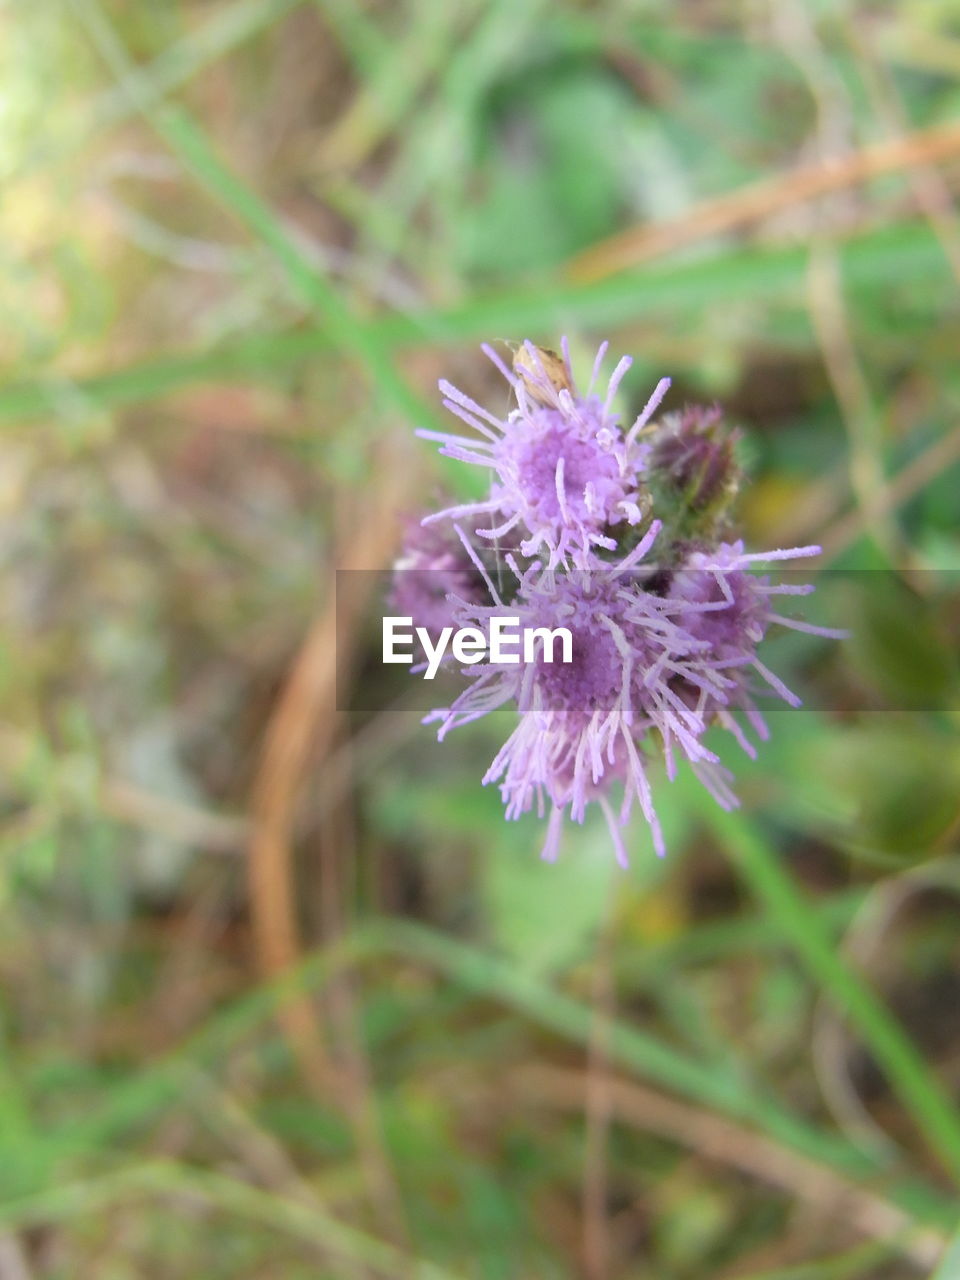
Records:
x=620, y=536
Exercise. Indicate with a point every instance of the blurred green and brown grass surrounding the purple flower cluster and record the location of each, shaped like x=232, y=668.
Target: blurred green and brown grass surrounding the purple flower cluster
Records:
x=282, y=993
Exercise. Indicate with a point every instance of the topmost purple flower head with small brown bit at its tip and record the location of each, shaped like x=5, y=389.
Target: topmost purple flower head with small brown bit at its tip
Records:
x=563, y=472
